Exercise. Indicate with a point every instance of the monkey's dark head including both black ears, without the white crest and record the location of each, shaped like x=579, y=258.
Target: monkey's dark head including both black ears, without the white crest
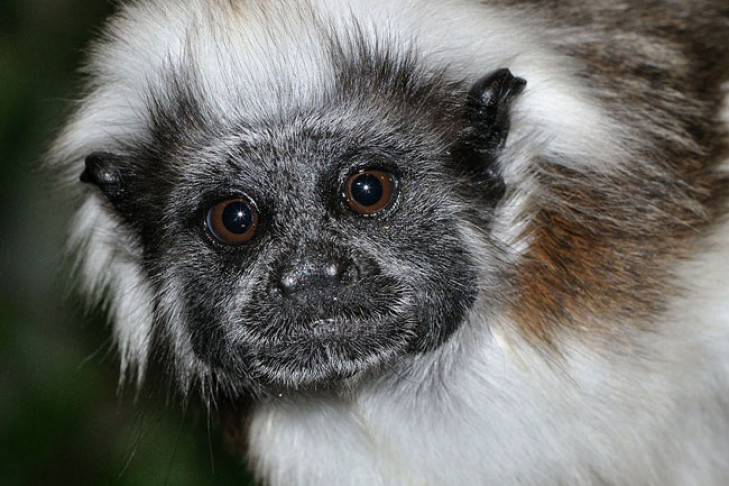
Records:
x=318, y=244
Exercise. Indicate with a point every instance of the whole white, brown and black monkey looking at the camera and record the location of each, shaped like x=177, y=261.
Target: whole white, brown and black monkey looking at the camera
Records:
x=429, y=242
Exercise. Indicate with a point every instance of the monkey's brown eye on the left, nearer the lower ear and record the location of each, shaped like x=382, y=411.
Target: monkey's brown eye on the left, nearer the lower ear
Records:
x=233, y=221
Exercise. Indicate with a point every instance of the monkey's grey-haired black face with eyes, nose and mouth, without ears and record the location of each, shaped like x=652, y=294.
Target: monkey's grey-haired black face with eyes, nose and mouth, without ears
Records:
x=355, y=261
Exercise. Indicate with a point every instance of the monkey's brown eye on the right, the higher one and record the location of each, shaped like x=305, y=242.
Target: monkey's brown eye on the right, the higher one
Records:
x=370, y=190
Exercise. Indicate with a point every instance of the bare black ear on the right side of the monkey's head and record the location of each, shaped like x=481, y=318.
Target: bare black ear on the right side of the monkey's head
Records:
x=487, y=120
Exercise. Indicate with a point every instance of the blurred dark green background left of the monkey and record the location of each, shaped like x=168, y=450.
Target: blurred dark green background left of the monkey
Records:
x=61, y=418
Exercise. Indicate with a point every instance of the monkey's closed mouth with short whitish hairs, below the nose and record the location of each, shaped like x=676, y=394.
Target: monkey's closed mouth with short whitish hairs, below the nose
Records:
x=321, y=341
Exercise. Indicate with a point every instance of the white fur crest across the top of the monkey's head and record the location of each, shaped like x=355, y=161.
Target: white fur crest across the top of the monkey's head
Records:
x=280, y=55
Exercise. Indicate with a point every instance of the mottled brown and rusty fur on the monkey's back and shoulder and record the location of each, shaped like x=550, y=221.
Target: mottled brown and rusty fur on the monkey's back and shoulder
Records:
x=604, y=247
